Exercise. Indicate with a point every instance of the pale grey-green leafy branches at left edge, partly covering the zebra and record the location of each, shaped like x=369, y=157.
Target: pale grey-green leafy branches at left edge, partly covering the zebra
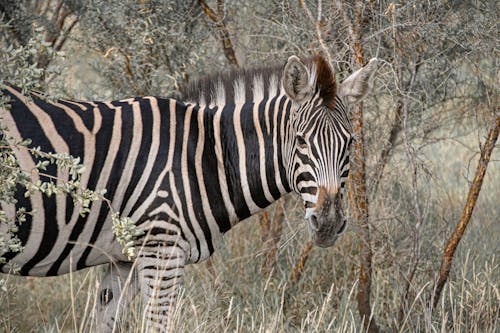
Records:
x=21, y=70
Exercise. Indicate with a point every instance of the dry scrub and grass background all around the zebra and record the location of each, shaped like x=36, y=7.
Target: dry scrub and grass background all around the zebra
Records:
x=435, y=100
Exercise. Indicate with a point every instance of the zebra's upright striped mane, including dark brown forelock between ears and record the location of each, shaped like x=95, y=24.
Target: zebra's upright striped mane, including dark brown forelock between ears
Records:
x=240, y=85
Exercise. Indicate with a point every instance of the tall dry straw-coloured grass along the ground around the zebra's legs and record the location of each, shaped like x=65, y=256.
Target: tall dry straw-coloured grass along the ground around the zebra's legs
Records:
x=237, y=297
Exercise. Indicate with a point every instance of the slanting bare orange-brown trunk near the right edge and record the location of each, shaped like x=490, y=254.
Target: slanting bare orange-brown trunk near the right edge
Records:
x=456, y=235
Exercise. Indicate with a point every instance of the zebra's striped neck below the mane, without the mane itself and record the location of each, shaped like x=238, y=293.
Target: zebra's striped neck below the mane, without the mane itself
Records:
x=250, y=145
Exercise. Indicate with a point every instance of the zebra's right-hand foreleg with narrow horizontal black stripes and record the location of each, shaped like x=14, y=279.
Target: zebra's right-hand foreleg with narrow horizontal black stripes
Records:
x=160, y=268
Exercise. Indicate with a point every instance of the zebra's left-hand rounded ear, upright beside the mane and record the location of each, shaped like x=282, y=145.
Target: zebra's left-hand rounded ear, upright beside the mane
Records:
x=296, y=79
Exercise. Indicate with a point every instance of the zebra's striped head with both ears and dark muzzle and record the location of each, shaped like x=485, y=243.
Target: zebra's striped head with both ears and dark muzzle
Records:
x=319, y=139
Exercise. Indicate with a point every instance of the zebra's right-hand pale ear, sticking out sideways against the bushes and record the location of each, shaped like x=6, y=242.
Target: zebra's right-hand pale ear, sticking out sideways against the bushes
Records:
x=358, y=84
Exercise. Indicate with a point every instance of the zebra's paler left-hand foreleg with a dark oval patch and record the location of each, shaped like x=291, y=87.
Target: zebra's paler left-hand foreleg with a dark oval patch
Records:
x=116, y=290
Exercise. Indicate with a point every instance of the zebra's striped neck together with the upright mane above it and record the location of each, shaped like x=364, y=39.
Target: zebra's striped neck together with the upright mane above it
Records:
x=251, y=123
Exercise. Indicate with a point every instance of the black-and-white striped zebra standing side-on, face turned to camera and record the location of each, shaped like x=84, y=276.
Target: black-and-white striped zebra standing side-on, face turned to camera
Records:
x=185, y=172
